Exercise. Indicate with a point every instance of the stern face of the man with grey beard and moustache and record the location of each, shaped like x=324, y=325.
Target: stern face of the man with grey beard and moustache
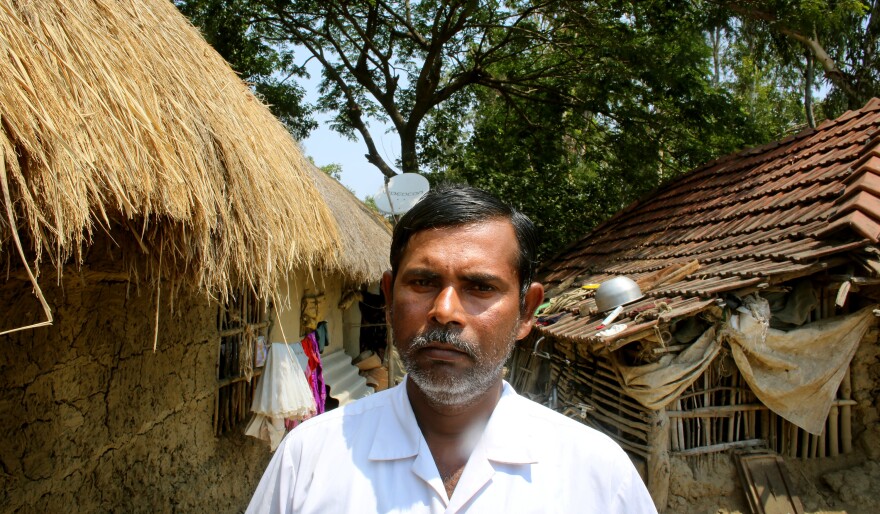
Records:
x=455, y=308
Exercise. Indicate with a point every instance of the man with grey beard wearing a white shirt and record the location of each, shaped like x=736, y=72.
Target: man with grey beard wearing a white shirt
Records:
x=453, y=437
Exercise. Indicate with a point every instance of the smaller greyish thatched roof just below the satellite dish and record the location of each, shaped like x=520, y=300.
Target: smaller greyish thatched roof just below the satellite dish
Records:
x=366, y=237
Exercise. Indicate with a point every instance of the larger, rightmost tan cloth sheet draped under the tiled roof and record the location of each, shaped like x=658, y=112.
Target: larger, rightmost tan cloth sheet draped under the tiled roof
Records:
x=797, y=373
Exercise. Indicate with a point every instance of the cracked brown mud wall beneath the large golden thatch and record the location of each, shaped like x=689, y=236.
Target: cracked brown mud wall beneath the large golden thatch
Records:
x=93, y=420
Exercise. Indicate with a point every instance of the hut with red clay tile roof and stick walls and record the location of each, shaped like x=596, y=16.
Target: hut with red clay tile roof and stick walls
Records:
x=757, y=328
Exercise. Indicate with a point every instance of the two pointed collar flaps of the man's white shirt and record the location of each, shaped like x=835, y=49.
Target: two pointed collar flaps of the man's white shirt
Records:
x=509, y=436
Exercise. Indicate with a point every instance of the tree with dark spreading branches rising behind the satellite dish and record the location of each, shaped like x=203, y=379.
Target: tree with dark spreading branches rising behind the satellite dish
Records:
x=397, y=60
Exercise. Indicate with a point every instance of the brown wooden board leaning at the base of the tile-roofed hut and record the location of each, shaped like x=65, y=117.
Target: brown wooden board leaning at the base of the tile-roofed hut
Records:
x=766, y=484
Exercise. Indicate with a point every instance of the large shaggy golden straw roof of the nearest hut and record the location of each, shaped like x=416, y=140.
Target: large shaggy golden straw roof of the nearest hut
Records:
x=117, y=114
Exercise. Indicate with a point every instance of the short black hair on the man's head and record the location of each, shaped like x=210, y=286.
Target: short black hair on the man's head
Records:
x=453, y=205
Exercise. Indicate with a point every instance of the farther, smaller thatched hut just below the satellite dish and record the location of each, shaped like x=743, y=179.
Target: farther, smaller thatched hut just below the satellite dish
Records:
x=338, y=299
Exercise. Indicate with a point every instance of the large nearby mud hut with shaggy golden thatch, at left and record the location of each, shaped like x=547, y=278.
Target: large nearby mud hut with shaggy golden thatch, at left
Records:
x=150, y=208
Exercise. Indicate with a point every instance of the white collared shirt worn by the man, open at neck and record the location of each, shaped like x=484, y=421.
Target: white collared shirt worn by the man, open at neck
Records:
x=370, y=456
